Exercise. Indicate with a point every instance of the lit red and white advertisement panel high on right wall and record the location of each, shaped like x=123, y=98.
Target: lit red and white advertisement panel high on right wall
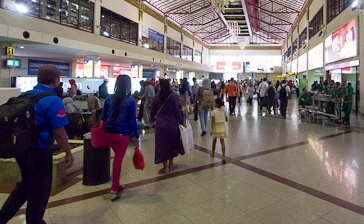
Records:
x=342, y=43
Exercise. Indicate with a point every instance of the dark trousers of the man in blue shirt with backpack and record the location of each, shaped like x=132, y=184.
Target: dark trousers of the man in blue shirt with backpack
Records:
x=35, y=188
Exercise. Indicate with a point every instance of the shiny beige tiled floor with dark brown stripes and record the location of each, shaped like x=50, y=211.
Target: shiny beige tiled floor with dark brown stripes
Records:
x=277, y=172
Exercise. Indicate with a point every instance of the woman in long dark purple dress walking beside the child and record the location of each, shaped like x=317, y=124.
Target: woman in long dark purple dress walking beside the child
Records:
x=166, y=113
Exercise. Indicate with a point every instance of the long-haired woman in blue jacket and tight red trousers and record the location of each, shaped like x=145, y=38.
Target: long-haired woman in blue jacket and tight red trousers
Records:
x=119, y=120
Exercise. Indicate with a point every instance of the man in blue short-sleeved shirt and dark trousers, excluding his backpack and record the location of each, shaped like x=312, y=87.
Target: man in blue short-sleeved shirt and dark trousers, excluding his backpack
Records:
x=36, y=165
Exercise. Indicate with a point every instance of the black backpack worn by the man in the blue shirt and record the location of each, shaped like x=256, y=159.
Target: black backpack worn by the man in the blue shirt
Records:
x=17, y=124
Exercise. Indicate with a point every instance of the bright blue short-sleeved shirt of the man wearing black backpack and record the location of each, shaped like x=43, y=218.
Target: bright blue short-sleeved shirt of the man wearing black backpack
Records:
x=49, y=114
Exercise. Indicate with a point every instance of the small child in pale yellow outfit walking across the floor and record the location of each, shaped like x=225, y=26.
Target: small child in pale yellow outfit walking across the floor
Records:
x=218, y=119
